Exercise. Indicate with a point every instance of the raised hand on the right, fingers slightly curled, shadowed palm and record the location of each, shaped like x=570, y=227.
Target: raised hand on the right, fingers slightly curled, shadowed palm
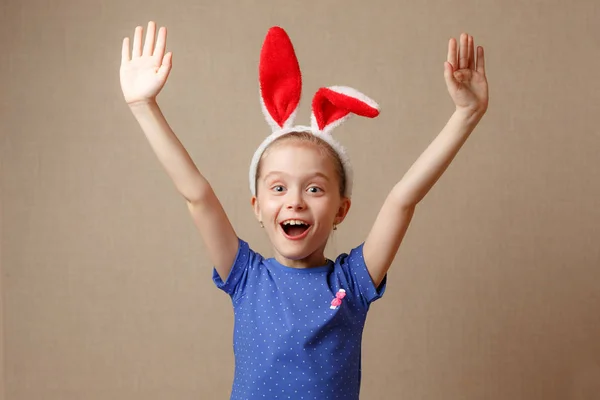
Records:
x=465, y=76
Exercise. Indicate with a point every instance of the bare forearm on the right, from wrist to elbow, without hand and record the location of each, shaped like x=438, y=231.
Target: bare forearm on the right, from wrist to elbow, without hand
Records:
x=430, y=166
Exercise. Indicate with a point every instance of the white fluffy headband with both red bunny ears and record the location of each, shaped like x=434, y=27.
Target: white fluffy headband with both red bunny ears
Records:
x=280, y=88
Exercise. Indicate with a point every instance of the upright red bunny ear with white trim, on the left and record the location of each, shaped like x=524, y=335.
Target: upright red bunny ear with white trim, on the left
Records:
x=280, y=79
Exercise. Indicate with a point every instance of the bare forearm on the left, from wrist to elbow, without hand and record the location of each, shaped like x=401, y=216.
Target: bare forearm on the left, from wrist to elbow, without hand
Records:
x=170, y=152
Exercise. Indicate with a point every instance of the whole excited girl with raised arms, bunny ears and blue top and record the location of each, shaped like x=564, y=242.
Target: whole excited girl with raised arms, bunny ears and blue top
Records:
x=299, y=317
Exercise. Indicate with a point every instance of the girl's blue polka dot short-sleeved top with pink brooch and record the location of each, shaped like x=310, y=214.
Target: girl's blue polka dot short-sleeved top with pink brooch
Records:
x=298, y=332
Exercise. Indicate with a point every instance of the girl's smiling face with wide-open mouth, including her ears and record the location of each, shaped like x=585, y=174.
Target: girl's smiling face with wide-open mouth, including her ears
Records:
x=298, y=201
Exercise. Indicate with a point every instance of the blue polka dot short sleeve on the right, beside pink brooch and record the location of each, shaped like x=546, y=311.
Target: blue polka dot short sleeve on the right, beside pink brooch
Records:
x=358, y=277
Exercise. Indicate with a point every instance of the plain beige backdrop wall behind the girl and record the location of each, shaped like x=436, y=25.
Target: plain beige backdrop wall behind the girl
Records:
x=106, y=288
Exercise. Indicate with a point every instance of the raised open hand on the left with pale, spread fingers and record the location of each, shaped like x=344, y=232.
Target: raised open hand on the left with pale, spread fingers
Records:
x=145, y=71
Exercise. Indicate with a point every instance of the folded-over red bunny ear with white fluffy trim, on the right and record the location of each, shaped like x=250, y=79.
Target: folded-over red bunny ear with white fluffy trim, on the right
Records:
x=333, y=105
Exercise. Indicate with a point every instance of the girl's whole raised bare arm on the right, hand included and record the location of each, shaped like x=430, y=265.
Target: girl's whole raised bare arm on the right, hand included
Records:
x=467, y=85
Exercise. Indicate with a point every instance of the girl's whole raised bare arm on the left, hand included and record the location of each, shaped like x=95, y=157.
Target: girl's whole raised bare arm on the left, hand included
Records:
x=144, y=72
